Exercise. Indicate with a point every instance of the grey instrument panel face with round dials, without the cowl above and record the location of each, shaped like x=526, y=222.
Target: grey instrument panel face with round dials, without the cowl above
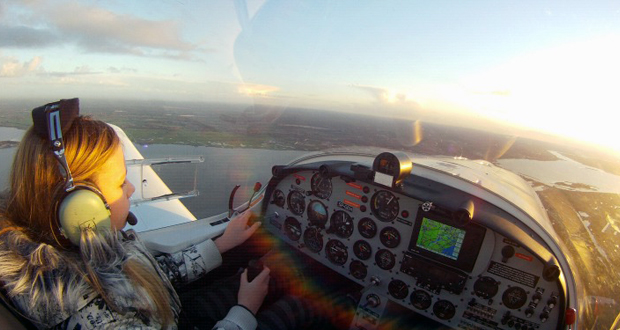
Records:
x=408, y=251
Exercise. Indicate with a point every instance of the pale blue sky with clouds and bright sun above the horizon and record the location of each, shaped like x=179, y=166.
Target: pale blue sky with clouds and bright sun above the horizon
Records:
x=550, y=66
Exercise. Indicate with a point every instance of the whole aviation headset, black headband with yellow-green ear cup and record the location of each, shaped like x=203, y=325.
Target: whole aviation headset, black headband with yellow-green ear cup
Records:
x=80, y=205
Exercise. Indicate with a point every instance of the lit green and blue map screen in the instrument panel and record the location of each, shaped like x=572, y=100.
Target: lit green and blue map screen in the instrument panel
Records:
x=440, y=238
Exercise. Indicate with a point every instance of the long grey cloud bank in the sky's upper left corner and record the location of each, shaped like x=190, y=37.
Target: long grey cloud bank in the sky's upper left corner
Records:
x=97, y=30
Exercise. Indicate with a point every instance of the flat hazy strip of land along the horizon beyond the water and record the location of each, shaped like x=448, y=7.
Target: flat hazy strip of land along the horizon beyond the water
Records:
x=262, y=127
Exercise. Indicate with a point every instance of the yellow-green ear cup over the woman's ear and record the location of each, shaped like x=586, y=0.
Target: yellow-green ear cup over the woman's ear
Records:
x=83, y=207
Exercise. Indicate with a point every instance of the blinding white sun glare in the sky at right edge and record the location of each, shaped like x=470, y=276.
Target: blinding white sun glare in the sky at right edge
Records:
x=567, y=90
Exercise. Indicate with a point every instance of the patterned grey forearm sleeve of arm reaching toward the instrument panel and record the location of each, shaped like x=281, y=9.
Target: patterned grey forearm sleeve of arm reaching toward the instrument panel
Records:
x=190, y=263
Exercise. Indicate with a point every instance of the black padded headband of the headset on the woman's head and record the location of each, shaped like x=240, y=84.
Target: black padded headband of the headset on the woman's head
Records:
x=49, y=122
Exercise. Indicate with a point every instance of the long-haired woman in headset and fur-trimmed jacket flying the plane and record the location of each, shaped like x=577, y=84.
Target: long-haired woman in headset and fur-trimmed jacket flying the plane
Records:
x=65, y=273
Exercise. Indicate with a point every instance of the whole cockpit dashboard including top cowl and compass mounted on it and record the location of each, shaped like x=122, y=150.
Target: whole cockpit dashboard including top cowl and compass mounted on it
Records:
x=437, y=249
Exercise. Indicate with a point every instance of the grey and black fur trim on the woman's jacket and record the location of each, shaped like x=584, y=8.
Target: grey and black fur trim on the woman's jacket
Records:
x=49, y=285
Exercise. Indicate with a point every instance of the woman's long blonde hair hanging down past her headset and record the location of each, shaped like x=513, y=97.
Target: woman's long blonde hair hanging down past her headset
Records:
x=36, y=185
